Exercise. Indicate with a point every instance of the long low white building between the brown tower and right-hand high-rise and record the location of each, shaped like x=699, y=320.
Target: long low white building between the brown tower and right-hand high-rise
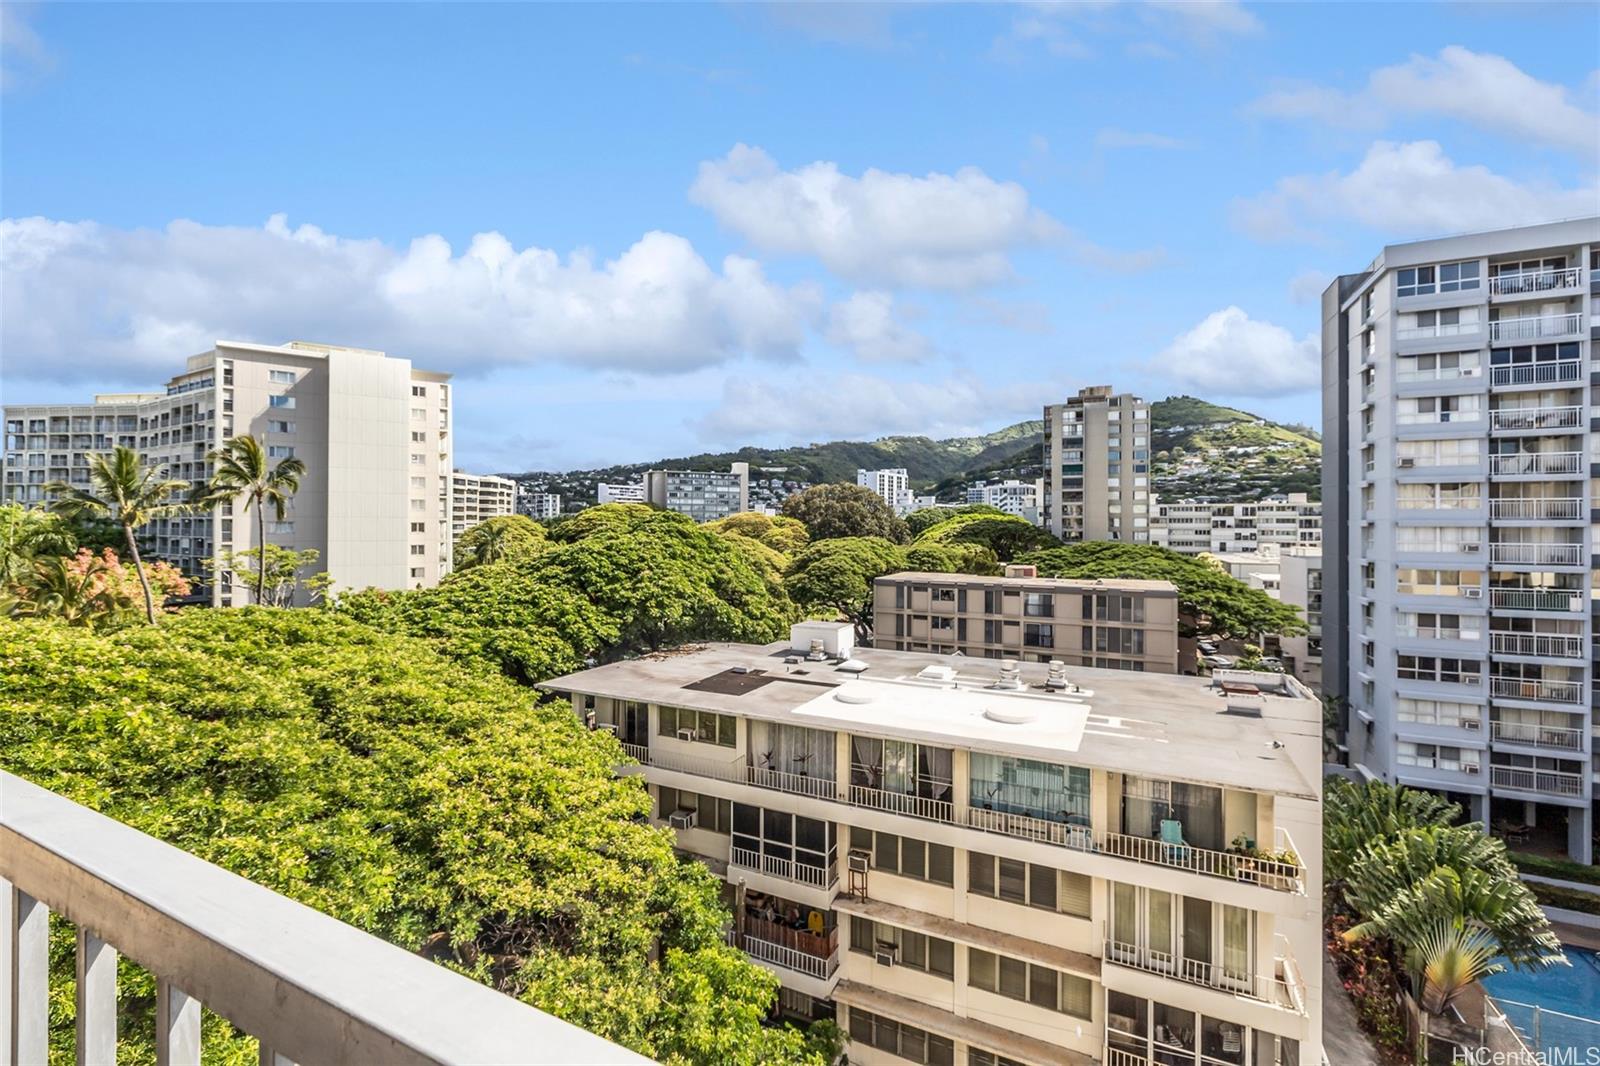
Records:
x=1282, y=523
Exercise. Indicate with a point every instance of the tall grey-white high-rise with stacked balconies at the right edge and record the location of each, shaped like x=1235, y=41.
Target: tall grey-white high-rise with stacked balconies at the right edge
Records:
x=1458, y=455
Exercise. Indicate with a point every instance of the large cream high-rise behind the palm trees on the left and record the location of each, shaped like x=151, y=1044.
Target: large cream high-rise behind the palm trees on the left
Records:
x=372, y=430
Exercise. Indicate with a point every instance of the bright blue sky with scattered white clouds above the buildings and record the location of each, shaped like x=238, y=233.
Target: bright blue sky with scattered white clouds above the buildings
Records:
x=650, y=231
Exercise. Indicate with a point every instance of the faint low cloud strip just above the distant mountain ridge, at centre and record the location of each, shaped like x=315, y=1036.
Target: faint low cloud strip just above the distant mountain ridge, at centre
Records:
x=858, y=407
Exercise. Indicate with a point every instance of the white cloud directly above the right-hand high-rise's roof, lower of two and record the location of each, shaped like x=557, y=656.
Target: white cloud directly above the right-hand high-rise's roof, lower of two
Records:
x=1407, y=190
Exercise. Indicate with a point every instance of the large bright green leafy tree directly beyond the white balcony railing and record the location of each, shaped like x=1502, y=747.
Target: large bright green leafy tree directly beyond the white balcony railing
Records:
x=374, y=779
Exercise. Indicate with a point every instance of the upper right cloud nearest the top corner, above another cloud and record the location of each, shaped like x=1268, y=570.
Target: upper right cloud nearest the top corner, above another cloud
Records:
x=1481, y=89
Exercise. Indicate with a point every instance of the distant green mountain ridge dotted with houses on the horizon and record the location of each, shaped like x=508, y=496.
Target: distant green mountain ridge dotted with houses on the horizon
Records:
x=1199, y=449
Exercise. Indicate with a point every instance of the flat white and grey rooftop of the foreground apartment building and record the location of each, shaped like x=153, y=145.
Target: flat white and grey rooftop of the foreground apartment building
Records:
x=1161, y=726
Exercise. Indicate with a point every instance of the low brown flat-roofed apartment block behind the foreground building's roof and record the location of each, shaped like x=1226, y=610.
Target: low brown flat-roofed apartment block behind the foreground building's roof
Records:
x=1124, y=625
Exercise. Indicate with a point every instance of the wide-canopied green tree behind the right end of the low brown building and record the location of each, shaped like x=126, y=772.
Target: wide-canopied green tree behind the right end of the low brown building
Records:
x=1212, y=601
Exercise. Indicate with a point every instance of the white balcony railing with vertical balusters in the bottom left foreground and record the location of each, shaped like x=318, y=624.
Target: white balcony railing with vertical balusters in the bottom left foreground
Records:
x=308, y=987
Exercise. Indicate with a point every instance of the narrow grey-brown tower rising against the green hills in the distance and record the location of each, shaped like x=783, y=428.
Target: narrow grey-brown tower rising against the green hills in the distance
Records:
x=1098, y=468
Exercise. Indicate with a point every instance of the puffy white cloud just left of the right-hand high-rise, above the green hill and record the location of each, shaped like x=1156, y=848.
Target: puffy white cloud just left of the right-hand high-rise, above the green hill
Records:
x=1233, y=355
